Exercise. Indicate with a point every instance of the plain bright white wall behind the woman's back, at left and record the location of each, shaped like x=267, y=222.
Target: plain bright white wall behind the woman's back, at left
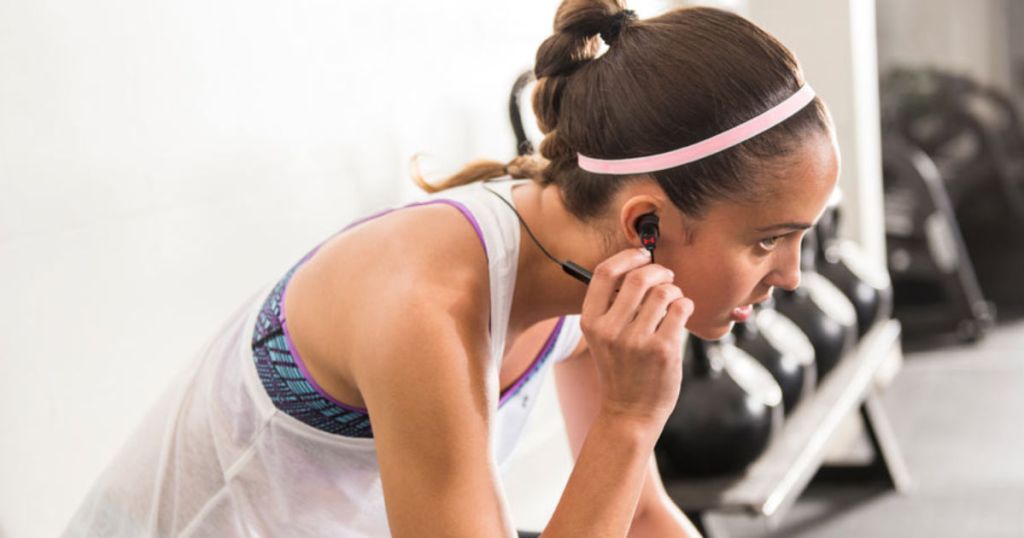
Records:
x=159, y=161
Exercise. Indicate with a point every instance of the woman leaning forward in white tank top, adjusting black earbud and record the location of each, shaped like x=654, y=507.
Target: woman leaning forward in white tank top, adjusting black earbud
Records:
x=379, y=386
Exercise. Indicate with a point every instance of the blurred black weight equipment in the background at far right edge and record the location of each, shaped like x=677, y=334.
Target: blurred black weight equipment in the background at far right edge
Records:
x=974, y=136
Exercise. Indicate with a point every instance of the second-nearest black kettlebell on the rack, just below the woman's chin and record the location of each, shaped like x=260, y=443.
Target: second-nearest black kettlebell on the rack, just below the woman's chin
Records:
x=783, y=349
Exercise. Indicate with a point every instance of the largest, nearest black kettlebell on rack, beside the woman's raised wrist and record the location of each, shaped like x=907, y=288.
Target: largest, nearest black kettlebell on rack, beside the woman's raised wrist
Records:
x=729, y=411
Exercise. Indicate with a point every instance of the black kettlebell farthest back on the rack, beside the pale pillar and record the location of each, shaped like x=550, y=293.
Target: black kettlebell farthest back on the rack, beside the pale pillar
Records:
x=843, y=263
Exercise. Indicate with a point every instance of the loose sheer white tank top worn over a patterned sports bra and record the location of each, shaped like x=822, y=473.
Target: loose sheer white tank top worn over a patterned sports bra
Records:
x=215, y=458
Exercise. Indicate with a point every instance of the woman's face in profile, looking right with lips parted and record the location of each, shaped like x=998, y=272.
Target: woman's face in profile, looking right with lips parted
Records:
x=737, y=254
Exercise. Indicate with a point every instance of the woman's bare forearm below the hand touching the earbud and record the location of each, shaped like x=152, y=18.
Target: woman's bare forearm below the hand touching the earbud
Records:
x=602, y=495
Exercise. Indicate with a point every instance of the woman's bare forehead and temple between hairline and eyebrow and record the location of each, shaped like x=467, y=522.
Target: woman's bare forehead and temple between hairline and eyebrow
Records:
x=796, y=192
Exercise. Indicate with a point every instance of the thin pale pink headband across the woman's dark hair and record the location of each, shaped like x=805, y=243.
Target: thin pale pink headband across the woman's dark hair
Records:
x=706, y=148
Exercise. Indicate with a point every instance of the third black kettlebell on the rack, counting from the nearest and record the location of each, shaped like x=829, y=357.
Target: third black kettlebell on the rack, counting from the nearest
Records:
x=822, y=312
